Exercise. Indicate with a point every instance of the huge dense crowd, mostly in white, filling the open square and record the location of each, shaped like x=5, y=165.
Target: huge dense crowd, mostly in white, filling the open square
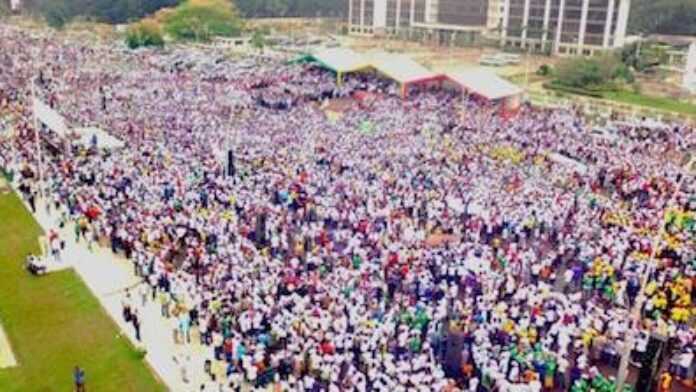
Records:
x=445, y=247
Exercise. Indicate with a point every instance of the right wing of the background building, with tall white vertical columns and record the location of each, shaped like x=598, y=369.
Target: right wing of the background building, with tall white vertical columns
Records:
x=565, y=26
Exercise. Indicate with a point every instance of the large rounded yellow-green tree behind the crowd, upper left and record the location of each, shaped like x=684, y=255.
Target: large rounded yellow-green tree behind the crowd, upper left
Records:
x=200, y=20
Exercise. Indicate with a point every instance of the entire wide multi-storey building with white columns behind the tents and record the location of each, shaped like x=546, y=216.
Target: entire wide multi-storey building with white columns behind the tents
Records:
x=550, y=26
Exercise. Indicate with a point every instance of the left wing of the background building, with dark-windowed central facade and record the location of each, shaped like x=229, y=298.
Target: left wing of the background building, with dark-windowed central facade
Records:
x=441, y=20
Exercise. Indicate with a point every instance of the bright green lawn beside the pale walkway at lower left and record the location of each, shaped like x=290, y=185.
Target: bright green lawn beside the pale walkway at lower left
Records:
x=54, y=322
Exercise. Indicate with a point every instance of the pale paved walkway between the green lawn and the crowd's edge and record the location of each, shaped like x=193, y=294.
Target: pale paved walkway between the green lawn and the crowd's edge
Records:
x=108, y=276
